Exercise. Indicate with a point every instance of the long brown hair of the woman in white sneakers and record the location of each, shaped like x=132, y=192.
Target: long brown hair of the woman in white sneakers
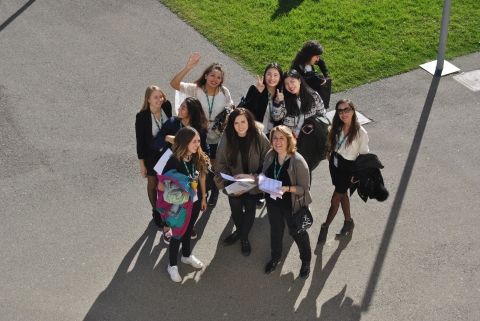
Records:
x=180, y=148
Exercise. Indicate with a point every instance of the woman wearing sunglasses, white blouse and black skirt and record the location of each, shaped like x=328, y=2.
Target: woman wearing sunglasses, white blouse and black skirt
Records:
x=346, y=140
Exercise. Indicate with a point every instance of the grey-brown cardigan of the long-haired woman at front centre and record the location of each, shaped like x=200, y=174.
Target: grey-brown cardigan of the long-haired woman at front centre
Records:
x=255, y=161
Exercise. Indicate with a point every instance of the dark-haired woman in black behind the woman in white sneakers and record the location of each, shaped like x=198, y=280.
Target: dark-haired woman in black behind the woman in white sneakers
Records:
x=191, y=114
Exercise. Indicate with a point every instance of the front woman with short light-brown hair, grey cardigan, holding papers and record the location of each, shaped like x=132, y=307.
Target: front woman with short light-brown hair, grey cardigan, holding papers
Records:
x=283, y=163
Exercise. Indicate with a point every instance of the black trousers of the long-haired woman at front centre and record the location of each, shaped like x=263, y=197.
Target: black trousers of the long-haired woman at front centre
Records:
x=243, y=220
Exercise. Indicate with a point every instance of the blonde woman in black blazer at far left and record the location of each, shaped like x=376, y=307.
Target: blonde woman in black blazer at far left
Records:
x=155, y=110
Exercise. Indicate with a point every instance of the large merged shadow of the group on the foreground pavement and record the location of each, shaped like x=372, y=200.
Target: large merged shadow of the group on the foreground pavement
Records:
x=229, y=285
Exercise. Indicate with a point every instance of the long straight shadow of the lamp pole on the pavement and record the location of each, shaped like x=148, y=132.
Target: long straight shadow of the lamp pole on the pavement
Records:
x=402, y=188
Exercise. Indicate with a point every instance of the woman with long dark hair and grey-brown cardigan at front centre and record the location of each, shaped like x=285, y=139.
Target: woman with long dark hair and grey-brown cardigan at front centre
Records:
x=241, y=153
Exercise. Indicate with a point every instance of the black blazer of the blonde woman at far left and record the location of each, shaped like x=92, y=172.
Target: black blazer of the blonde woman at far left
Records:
x=143, y=130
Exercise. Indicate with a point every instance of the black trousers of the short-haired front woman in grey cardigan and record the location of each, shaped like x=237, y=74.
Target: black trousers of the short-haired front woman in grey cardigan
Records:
x=277, y=217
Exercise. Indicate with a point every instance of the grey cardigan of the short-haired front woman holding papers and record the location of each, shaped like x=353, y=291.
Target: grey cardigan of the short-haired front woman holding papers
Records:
x=299, y=177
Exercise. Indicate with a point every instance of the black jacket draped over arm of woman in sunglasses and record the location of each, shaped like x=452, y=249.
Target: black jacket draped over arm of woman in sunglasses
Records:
x=368, y=180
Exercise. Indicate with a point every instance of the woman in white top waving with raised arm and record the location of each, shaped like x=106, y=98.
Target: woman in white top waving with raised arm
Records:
x=214, y=97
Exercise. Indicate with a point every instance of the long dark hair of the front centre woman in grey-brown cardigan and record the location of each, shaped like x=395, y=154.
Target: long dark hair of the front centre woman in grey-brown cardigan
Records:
x=253, y=135
